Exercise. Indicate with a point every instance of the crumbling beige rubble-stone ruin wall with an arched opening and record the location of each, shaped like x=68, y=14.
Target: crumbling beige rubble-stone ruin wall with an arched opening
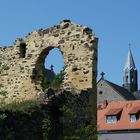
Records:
x=22, y=75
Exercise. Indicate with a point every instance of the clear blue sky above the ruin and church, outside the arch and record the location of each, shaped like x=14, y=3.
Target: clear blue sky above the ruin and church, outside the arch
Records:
x=115, y=23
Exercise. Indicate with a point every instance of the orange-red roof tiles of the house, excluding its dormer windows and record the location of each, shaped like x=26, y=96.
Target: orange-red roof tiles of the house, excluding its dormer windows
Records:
x=123, y=123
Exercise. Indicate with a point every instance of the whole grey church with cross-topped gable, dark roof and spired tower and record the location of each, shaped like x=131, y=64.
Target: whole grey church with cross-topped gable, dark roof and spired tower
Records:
x=108, y=91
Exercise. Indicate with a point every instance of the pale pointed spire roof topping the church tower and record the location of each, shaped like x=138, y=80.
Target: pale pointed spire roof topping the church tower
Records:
x=130, y=61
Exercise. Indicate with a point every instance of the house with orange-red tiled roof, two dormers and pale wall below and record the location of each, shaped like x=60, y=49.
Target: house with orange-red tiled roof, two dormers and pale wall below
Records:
x=119, y=120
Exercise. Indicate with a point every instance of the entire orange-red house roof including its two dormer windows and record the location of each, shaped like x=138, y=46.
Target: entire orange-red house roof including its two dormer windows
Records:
x=119, y=115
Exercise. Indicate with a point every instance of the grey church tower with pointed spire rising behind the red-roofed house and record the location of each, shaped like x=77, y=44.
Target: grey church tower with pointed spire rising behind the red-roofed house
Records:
x=130, y=76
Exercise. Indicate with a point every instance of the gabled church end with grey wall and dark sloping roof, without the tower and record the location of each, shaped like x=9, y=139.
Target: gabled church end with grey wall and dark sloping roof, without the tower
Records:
x=108, y=91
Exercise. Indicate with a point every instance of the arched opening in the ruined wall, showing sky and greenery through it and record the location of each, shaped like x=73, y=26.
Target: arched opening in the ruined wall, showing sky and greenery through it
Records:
x=53, y=69
